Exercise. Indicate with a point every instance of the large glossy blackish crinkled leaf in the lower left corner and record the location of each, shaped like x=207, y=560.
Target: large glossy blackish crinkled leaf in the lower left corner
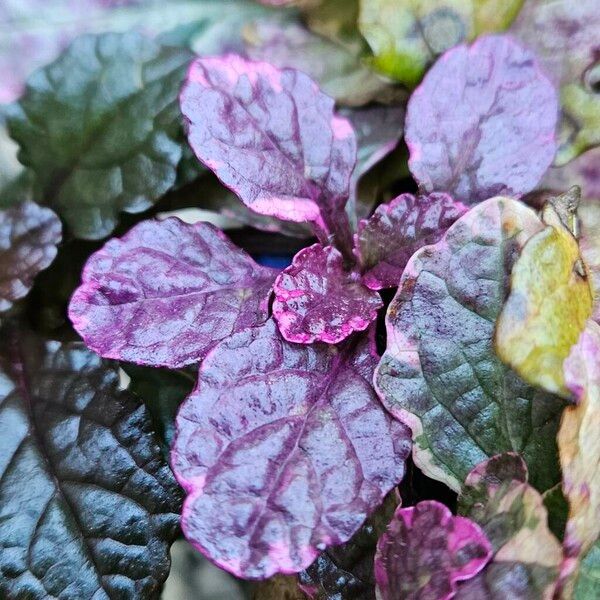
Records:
x=88, y=506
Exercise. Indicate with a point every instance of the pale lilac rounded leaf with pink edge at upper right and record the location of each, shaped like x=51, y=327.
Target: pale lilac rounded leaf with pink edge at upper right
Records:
x=482, y=122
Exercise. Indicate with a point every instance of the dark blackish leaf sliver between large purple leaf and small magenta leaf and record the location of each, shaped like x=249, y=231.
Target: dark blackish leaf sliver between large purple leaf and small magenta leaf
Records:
x=345, y=572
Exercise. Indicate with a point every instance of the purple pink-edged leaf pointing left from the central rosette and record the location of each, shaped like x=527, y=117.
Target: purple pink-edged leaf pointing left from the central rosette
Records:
x=166, y=292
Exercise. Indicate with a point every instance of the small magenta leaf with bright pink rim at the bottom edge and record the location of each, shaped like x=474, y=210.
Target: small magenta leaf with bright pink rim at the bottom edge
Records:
x=426, y=551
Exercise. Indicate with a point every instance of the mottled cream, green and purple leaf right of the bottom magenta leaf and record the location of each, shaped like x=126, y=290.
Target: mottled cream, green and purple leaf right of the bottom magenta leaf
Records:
x=527, y=557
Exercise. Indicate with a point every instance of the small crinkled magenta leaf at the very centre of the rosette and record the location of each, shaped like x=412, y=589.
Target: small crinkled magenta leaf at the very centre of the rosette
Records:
x=317, y=300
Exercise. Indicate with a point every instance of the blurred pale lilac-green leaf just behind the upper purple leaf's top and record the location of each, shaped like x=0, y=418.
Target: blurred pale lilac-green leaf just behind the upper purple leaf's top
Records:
x=337, y=68
